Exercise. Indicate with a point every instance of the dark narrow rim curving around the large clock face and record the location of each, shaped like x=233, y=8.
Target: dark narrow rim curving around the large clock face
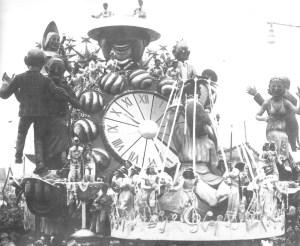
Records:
x=105, y=140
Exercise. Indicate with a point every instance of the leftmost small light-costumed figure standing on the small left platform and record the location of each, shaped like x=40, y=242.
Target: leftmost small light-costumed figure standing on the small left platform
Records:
x=75, y=158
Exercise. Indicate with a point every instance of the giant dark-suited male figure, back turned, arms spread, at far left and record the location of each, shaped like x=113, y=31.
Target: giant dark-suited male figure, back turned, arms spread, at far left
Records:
x=32, y=89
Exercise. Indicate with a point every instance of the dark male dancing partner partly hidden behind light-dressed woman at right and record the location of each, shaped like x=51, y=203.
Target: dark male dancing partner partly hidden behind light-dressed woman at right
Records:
x=292, y=127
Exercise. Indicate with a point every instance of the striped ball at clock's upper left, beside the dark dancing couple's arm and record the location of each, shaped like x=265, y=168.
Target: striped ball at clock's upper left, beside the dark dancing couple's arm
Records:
x=91, y=102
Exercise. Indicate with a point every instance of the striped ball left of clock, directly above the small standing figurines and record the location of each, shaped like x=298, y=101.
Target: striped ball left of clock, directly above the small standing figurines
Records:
x=85, y=129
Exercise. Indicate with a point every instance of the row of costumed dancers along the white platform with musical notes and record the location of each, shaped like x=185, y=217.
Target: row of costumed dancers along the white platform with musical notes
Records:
x=159, y=194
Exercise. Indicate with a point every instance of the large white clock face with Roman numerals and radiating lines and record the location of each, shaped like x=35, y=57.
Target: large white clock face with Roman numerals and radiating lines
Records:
x=136, y=129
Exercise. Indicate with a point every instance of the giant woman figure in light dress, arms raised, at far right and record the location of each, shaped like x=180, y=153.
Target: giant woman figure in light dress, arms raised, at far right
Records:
x=278, y=108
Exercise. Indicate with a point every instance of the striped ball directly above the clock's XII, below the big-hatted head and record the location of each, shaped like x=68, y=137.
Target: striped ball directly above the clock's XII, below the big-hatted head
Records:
x=140, y=79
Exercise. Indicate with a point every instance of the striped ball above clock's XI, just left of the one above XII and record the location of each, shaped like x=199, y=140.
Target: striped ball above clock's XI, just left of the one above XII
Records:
x=112, y=83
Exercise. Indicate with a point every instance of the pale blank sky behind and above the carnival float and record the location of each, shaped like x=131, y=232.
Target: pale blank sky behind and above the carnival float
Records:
x=230, y=37
